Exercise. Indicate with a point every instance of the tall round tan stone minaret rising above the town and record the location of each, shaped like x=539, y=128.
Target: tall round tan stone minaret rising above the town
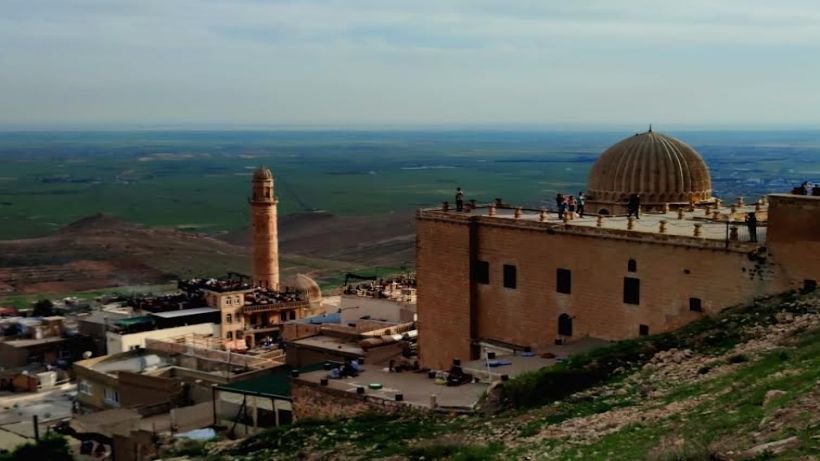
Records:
x=264, y=230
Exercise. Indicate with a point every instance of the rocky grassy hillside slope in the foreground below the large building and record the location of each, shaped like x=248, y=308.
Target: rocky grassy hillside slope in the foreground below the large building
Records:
x=742, y=385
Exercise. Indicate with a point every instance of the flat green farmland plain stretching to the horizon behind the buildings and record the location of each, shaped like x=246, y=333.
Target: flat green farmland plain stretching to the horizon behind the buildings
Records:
x=199, y=180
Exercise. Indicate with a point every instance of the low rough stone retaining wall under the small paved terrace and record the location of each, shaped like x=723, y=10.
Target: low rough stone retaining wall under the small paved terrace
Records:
x=310, y=400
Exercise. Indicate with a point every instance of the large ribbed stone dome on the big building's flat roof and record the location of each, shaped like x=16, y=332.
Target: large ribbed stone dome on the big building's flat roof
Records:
x=660, y=168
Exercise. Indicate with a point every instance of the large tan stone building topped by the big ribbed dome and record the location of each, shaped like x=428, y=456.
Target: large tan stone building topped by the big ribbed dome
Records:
x=502, y=277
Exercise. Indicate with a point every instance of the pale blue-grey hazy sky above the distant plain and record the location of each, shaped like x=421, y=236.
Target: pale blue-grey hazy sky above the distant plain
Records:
x=186, y=62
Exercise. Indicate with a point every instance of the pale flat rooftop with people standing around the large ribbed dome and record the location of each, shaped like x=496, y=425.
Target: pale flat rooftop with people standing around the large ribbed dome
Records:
x=715, y=230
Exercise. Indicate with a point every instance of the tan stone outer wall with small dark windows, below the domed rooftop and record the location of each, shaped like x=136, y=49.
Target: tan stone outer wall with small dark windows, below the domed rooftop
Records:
x=669, y=276
